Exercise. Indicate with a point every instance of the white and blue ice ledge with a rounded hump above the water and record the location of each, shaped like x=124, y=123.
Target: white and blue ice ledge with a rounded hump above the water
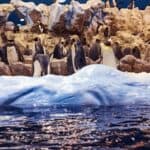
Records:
x=92, y=85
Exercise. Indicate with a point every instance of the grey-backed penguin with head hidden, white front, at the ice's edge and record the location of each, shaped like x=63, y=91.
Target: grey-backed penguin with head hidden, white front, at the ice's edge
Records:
x=41, y=65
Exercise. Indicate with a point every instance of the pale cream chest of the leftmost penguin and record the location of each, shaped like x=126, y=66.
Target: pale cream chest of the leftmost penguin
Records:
x=12, y=55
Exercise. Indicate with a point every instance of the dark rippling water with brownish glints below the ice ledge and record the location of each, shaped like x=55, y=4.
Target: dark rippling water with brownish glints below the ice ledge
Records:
x=115, y=127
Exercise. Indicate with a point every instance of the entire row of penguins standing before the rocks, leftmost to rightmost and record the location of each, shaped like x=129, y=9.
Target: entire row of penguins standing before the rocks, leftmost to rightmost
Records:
x=75, y=50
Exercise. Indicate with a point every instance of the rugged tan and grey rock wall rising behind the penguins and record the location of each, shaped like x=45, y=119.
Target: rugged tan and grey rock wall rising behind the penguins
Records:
x=128, y=27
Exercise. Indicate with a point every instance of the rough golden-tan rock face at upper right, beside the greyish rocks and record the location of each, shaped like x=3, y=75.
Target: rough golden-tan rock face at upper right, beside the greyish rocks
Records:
x=129, y=27
